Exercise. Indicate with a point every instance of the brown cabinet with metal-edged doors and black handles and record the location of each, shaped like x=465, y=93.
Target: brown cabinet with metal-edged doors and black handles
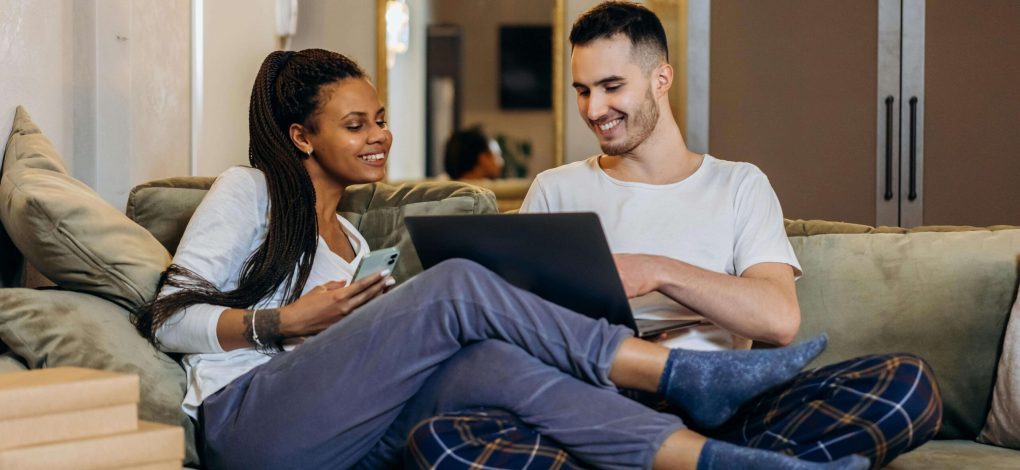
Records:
x=892, y=113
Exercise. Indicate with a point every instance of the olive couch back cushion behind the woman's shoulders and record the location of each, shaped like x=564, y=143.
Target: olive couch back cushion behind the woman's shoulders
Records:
x=165, y=207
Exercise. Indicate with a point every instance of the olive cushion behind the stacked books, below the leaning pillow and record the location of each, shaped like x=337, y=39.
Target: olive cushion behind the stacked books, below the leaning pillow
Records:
x=53, y=329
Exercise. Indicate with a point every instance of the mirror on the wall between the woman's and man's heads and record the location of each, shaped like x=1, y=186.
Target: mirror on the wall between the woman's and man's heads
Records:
x=486, y=65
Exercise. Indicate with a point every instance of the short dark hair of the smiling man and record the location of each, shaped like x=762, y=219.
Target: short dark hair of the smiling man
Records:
x=635, y=22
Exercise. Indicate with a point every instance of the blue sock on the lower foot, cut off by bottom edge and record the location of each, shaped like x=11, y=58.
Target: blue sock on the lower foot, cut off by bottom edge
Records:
x=718, y=455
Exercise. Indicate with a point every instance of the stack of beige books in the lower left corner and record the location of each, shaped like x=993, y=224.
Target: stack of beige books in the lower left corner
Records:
x=76, y=419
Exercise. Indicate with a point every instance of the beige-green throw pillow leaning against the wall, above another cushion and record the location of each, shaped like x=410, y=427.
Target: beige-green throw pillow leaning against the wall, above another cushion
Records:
x=68, y=232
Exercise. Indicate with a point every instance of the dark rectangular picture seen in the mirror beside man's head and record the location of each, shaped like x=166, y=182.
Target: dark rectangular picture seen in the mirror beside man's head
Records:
x=526, y=67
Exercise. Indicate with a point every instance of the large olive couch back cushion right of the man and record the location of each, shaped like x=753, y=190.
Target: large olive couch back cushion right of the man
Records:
x=943, y=296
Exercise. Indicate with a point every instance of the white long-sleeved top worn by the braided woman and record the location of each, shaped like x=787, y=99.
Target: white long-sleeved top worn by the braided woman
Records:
x=228, y=227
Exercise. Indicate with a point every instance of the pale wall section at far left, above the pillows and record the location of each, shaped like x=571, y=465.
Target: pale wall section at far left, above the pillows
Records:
x=107, y=81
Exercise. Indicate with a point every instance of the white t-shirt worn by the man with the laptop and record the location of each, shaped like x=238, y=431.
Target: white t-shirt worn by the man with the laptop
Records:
x=725, y=219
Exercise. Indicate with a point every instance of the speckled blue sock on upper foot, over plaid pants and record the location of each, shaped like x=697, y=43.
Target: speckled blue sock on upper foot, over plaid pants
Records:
x=710, y=387
